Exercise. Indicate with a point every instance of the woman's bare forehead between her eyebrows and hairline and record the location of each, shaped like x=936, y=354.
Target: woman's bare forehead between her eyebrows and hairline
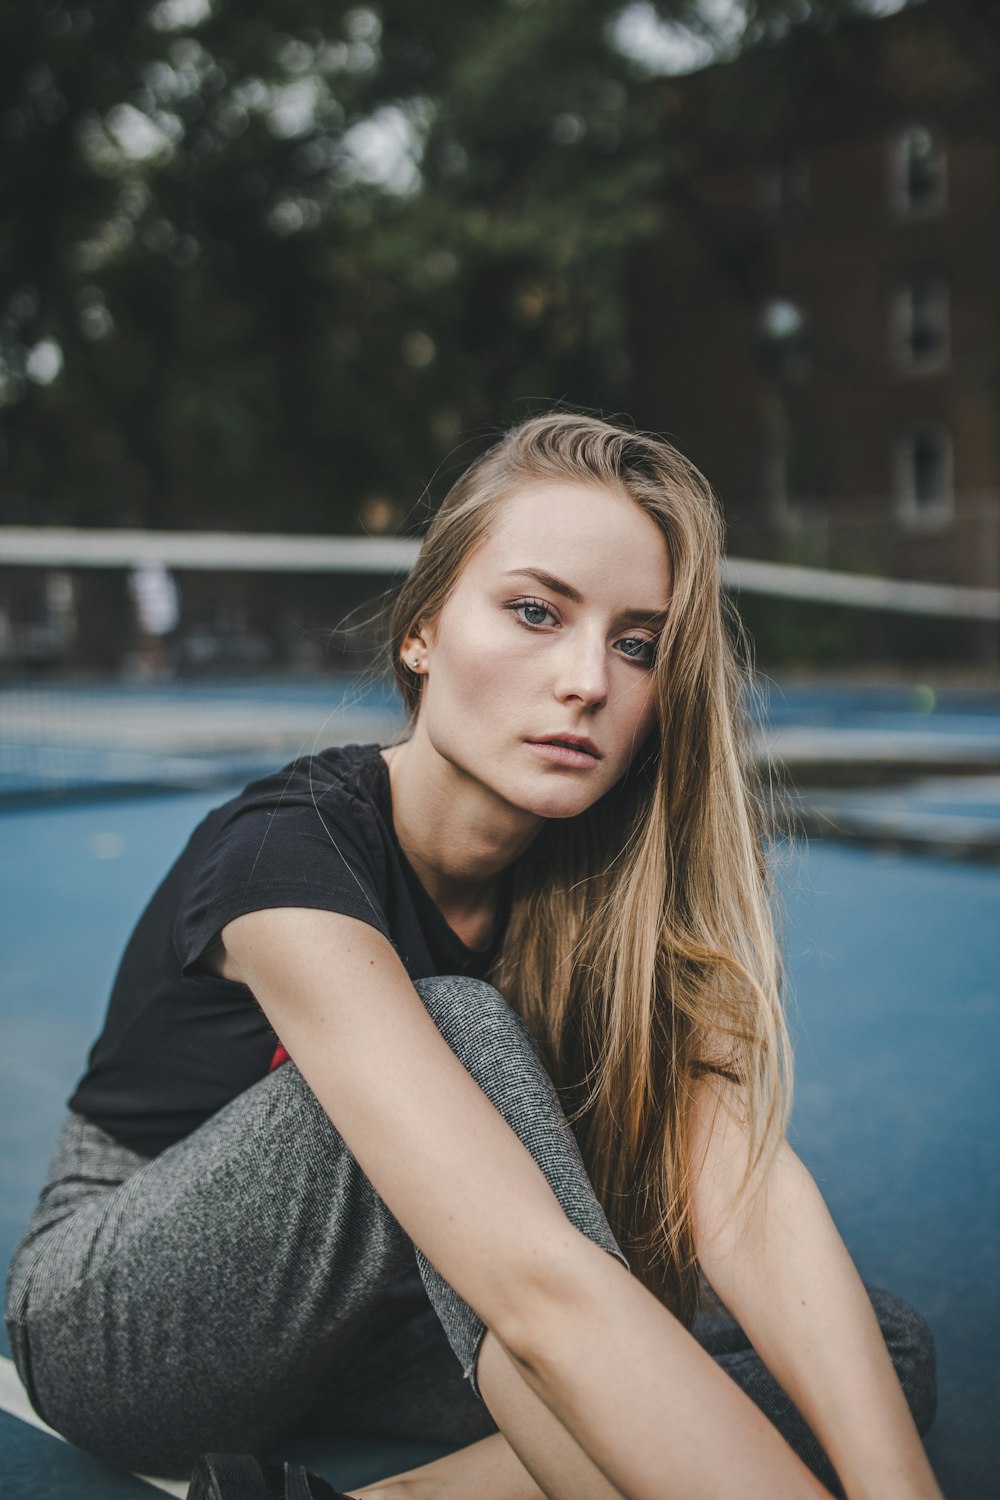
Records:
x=587, y=533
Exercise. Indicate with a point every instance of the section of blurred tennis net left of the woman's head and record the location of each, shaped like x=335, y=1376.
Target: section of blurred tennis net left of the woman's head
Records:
x=137, y=662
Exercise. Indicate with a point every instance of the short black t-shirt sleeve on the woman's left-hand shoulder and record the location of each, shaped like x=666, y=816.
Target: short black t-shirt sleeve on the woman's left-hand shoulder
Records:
x=293, y=851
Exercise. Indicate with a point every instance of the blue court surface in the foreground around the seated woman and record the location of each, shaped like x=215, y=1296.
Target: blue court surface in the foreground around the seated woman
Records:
x=896, y=979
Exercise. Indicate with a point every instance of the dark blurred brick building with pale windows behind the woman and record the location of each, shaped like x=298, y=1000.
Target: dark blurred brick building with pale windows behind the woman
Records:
x=819, y=323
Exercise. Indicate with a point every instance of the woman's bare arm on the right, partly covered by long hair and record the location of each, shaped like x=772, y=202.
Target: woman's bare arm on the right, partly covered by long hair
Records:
x=785, y=1273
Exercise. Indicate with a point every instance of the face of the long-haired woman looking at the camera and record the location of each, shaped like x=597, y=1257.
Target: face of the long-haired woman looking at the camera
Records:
x=548, y=637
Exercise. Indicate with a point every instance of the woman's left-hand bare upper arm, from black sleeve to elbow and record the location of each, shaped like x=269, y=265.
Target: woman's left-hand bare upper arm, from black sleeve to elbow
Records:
x=464, y=1189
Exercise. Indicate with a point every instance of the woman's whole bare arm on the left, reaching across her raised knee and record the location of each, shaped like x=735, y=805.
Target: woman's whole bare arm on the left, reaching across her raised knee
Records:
x=632, y=1388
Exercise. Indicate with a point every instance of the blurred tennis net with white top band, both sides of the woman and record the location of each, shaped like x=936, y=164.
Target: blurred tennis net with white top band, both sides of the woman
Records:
x=148, y=661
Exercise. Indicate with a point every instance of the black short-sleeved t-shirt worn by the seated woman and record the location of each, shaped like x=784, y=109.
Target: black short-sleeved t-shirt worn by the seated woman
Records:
x=179, y=1042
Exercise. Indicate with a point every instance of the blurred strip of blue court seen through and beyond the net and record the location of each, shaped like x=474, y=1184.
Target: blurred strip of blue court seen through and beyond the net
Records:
x=113, y=739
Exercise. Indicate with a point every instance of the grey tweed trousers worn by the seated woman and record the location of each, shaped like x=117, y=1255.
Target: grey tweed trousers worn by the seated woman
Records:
x=250, y=1282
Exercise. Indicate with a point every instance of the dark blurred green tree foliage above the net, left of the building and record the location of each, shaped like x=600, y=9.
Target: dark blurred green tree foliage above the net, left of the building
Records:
x=260, y=329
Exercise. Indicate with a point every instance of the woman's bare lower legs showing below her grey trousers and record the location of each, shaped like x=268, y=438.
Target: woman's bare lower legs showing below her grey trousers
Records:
x=491, y=1469
